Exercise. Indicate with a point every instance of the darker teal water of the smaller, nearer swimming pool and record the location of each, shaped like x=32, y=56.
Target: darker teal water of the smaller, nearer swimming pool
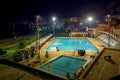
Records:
x=63, y=64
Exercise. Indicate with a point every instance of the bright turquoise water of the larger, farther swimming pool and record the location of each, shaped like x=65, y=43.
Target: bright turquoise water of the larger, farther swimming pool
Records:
x=71, y=44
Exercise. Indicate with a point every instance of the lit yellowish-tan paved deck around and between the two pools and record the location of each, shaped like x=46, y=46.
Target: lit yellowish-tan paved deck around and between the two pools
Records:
x=55, y=53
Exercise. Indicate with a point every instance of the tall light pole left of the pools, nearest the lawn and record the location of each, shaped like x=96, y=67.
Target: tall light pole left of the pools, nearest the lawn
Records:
x=37, y=39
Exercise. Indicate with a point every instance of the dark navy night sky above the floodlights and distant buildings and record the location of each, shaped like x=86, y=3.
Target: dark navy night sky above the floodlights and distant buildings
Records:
x=11, y=10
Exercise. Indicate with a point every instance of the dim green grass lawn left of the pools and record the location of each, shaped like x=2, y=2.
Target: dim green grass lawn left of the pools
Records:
x=11, y=47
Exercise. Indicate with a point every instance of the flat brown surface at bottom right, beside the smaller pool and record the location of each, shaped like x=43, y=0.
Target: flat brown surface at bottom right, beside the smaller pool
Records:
x=105, y=70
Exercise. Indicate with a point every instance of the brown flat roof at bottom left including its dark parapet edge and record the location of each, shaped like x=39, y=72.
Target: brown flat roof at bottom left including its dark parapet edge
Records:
x=10, y=70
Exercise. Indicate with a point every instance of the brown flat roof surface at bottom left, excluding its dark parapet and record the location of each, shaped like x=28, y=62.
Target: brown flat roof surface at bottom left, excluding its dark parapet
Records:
x=11, y=73
